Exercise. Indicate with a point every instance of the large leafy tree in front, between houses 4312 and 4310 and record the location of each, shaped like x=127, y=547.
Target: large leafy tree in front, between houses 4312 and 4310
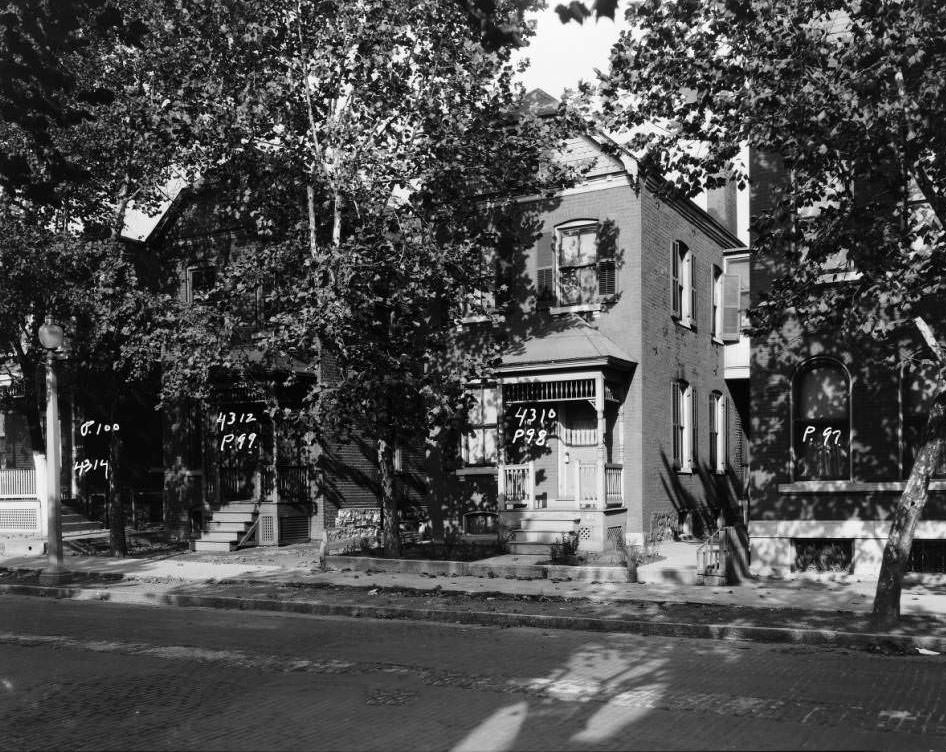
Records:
x=386, y=144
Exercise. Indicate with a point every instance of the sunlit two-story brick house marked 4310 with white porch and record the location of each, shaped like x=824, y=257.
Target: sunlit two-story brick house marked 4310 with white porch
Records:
x=615, y=405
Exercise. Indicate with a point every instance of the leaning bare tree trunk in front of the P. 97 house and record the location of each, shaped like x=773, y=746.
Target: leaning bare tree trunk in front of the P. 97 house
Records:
x=907, y=514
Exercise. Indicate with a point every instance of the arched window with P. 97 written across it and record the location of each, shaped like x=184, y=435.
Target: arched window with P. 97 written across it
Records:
x=822, y=426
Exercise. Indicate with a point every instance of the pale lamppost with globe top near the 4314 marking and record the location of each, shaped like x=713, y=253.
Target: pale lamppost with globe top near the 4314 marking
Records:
x=51, y=338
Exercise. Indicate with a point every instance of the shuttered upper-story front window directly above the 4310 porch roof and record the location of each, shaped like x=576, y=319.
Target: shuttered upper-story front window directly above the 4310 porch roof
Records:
x=583, y=269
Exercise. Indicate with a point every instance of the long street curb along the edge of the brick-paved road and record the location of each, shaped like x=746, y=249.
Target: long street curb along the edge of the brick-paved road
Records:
x=790, y=635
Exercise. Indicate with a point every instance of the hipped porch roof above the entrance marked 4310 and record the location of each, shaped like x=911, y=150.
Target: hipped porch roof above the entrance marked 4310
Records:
x=570, y=344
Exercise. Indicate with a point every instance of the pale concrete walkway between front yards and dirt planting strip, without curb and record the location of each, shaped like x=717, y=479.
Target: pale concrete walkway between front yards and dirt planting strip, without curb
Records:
x=298, y=564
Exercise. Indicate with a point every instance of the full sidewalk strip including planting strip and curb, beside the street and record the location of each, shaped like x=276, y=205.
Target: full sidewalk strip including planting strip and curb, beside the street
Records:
x=288, y=579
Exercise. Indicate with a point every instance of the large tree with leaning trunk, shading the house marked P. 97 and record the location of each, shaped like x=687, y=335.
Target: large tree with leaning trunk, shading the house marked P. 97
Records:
x=851, y=97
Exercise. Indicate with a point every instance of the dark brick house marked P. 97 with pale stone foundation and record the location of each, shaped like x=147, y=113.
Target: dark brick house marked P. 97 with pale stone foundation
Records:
x=836, y=424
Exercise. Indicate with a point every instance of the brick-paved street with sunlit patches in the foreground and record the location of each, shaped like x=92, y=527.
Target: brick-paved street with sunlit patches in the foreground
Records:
x=85, y=675
